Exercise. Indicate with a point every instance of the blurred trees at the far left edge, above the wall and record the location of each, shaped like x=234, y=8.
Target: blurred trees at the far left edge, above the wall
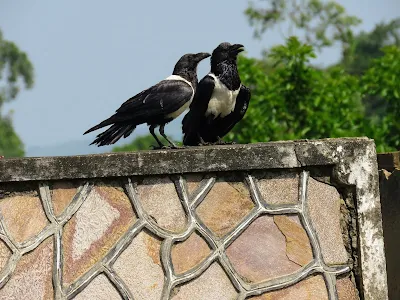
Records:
x=15, y=68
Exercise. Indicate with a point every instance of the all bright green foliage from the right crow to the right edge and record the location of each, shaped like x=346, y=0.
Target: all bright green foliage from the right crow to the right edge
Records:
x=298, y=101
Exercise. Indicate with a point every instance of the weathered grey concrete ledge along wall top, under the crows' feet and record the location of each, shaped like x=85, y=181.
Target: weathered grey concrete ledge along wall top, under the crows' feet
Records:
x=272, y=155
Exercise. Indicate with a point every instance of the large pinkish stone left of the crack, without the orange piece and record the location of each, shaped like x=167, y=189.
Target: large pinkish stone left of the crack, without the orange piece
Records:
x=259, y=253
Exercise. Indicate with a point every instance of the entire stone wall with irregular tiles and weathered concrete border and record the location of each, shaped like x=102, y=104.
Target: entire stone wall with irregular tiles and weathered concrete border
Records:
x=286, y=220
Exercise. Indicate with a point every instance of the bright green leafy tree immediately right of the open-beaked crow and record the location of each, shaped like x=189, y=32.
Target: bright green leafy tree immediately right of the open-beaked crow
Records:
x=297, y=101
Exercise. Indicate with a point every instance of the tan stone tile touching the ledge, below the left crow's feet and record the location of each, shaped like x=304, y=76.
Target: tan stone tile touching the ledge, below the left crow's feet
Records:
x=160, y=200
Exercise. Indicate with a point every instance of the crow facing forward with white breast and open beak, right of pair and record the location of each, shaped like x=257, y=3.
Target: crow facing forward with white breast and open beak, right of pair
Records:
x=220, y=100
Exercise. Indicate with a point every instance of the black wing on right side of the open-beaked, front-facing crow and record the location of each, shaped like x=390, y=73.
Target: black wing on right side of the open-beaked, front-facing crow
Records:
x=242, y=103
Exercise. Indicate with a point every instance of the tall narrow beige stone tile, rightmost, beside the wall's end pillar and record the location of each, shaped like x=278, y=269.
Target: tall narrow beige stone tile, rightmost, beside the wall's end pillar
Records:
x=324, y=209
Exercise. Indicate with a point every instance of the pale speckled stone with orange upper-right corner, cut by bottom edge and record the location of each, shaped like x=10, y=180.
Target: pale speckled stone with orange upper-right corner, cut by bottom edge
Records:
x=139, y=267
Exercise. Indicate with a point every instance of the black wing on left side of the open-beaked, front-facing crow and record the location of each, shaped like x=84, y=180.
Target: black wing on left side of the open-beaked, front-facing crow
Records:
x=198, y=107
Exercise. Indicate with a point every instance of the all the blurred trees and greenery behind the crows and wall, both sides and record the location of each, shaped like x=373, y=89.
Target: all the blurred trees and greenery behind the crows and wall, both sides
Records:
x=291, y=98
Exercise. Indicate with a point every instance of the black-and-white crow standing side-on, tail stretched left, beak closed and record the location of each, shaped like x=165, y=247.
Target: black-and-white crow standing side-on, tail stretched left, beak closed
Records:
x=155, y=106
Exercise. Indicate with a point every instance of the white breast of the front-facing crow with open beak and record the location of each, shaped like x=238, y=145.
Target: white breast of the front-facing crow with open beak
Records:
x=222, y=101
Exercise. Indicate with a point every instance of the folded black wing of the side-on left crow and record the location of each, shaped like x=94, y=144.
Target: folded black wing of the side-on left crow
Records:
x=160, y=100
